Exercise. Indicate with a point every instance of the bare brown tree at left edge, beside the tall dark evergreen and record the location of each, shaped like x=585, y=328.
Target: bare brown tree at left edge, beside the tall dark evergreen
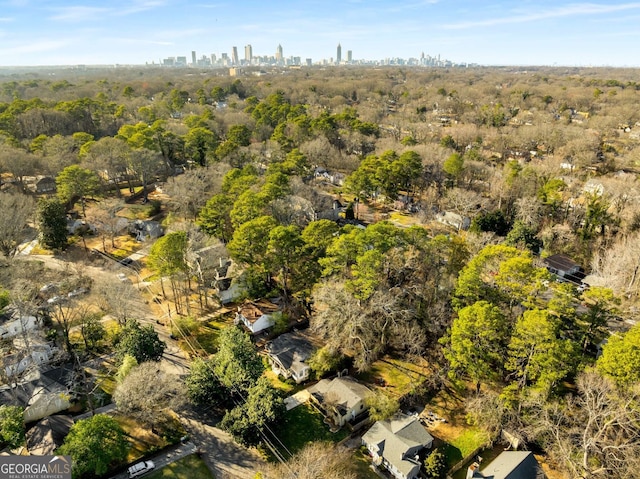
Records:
x=15, y=212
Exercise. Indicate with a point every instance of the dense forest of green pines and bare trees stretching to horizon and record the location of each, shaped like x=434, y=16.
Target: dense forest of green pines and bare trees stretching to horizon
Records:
x=402, y=212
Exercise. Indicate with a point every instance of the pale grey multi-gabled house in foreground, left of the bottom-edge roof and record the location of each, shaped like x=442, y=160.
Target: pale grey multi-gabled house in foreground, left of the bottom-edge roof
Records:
x=396, y=442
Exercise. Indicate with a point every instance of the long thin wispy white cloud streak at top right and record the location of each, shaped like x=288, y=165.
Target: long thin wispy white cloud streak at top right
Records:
x=566, y=11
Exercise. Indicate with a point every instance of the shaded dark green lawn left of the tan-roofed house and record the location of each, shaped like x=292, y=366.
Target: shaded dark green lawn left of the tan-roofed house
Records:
x=303, y=425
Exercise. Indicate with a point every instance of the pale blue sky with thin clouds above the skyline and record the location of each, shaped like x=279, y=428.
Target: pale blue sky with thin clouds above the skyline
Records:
x=524, y=32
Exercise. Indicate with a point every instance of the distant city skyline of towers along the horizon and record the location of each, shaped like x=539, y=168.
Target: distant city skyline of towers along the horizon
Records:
x=250, y=59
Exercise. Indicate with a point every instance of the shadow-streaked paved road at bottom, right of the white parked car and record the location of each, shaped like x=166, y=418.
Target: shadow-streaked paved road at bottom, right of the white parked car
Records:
x=226, y=458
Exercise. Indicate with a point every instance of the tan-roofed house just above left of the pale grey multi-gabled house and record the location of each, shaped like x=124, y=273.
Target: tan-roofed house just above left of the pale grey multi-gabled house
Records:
x=341, y=399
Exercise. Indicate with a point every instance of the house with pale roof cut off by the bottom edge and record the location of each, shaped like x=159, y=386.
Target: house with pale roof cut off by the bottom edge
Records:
x=508, y=465
